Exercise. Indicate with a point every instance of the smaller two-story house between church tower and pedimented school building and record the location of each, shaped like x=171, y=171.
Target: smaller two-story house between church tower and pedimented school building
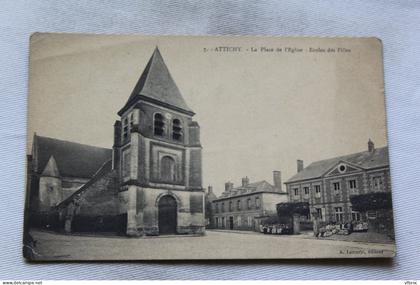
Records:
x=243, y=207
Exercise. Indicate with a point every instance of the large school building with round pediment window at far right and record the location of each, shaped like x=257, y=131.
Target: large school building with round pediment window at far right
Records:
x=328, y=184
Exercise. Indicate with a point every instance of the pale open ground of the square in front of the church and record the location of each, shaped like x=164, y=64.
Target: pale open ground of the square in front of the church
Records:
x=214, y=245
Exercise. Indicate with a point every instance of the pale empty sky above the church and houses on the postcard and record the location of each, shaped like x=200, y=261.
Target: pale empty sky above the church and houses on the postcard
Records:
x=259, y=110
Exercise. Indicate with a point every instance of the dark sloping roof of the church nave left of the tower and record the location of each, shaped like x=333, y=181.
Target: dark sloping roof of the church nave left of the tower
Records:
x=71, y=159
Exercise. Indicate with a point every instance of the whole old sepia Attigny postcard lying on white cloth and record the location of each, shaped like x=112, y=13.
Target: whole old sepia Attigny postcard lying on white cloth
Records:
x=157, y=148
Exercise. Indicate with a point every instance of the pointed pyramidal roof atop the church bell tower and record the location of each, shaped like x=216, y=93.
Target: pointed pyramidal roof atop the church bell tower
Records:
x=157, y=85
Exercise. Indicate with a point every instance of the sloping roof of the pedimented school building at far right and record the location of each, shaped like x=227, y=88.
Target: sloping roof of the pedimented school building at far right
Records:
x=377, y=158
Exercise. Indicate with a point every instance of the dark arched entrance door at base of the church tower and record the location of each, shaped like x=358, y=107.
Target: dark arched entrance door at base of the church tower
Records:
x=167, y=215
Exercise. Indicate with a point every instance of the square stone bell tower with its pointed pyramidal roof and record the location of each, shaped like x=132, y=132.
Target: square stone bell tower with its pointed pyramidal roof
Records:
x=157, y=153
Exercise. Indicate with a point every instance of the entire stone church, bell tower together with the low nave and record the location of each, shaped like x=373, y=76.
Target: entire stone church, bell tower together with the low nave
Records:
x=148, y=183
